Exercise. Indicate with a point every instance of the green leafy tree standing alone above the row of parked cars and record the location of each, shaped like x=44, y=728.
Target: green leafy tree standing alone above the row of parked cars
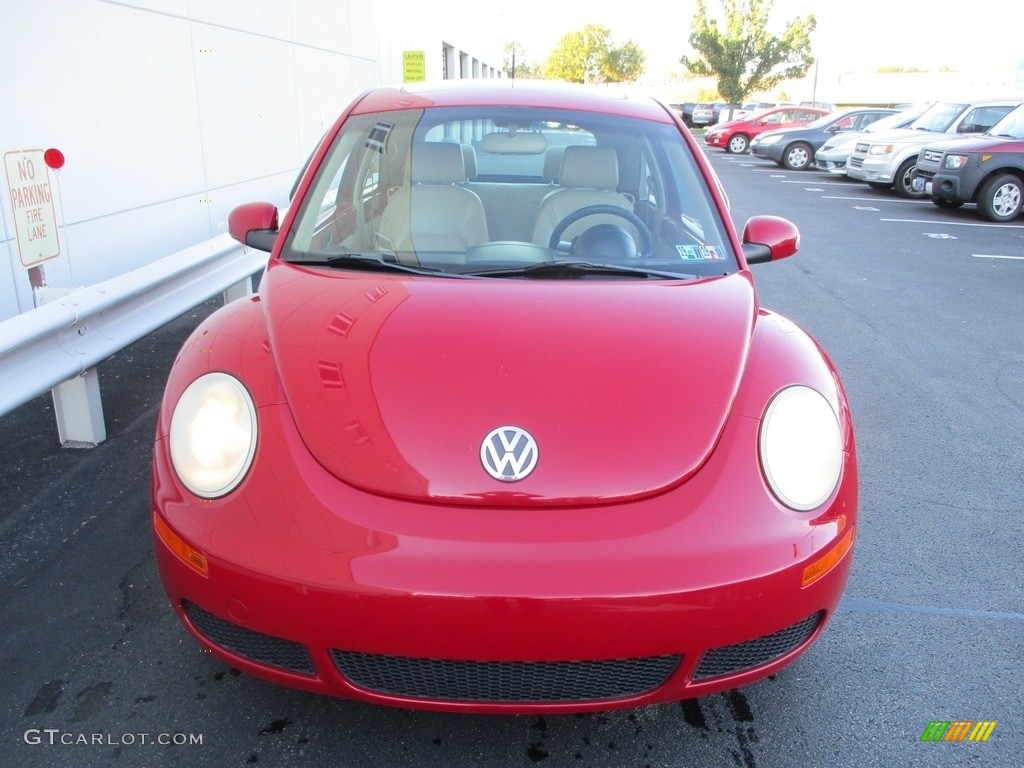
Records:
x=746, y=58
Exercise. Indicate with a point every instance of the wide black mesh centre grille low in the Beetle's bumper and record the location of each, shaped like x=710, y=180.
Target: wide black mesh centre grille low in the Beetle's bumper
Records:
x=504, y=681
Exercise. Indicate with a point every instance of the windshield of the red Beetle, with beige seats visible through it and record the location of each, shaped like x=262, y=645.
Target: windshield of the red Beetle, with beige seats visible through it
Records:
x=487, y=191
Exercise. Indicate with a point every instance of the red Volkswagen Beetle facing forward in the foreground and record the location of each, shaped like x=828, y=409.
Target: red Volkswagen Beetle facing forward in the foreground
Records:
x=505, y=429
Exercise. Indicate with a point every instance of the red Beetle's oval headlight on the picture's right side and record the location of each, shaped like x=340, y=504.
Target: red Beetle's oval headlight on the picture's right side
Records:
x=801, y=448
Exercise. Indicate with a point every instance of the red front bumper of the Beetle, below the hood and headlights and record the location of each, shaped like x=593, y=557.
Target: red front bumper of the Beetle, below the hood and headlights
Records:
x=319, y=586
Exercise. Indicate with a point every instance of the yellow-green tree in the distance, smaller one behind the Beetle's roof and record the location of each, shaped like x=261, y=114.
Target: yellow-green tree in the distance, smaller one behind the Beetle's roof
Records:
x=587, y=56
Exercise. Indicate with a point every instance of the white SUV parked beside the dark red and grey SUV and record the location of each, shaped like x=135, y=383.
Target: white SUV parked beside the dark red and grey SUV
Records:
x=888, y=159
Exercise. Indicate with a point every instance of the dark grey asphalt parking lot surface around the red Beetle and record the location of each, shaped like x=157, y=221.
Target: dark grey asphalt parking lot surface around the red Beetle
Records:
x=921, y=311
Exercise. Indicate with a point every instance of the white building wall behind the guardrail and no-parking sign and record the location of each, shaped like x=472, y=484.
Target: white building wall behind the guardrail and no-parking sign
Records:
x=173, y=112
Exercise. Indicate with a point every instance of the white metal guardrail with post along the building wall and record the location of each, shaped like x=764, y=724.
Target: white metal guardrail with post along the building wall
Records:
x=58, y=346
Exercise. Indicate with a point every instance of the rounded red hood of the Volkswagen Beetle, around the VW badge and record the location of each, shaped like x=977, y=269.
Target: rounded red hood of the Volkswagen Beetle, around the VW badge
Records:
x=396, y=382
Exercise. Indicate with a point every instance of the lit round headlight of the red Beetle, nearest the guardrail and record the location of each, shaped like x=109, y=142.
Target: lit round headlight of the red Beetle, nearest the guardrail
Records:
x=214, y=435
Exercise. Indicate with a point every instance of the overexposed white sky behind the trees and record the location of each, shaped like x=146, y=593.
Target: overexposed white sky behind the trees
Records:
x=852, y=35
